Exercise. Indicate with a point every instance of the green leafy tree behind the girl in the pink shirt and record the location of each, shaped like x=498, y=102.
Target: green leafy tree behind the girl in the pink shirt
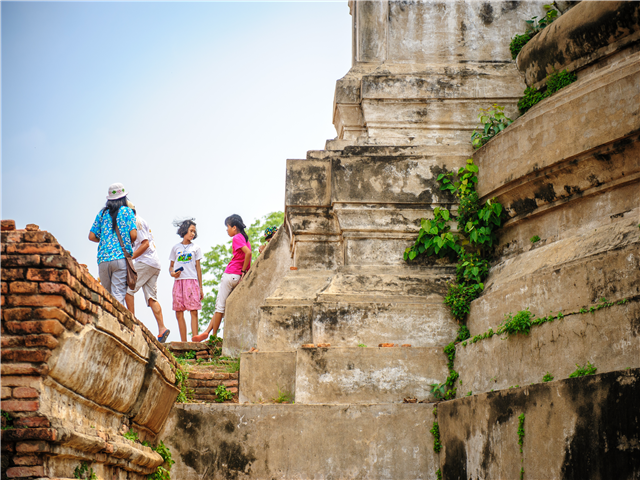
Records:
x=217, y=259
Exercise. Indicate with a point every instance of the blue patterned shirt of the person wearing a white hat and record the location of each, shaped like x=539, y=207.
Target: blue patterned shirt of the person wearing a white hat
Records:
x=109, y=247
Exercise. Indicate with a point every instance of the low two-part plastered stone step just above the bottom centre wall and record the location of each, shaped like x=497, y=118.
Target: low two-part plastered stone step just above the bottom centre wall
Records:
x=342, y=375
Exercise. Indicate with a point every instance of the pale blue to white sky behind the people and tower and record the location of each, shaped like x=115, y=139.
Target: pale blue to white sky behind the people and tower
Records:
x=194, y=106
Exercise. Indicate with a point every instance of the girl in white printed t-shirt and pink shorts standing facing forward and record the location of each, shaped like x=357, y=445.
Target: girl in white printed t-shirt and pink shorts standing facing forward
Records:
x=185, y=269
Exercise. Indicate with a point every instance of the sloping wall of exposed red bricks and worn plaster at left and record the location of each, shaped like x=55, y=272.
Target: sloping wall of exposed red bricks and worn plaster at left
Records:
x=77, y=370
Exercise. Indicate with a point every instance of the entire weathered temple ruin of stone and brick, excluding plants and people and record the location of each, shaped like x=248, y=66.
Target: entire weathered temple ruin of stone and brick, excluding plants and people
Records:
x=332, y=285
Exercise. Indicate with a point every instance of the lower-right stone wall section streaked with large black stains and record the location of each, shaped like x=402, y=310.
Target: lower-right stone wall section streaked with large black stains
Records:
x=583, y=428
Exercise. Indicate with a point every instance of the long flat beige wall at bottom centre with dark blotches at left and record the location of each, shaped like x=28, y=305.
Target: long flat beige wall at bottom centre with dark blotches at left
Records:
x=255, y=441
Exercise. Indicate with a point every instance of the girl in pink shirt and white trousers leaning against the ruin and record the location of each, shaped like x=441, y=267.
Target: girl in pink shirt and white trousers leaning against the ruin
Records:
x=235, y=271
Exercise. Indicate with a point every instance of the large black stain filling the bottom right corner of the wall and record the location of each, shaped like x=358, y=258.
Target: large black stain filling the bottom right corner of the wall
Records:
x=606, y=429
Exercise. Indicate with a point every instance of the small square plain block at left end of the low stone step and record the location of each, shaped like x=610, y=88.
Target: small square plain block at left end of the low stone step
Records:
x=265, y=375
